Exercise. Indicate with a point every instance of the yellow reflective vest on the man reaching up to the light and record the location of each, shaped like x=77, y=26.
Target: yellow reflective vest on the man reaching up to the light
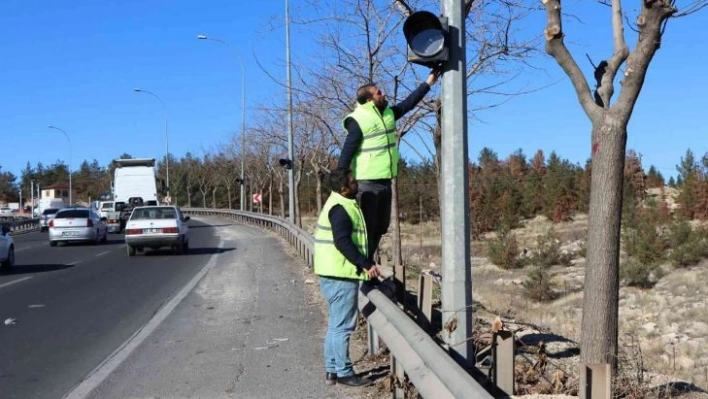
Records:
x=377, y=157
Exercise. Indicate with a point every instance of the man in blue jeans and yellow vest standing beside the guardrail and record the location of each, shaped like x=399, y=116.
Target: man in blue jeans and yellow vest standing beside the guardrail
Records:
x=341, y=262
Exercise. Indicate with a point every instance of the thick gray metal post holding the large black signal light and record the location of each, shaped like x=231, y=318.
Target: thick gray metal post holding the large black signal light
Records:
x=457, y=273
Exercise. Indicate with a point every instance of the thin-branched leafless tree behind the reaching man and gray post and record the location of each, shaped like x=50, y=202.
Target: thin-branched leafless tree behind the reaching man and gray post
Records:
x=377, y=53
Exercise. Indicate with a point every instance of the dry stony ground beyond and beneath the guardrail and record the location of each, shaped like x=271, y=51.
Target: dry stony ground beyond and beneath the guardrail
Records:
x=663, y=330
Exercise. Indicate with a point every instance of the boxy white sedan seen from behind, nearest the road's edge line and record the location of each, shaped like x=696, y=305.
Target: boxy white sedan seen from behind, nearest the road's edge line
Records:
x=155, y=227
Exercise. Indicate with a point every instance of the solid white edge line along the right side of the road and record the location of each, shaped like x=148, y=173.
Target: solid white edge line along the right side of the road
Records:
x=110, y=364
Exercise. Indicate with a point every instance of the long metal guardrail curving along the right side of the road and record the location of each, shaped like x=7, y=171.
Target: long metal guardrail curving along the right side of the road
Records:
x=431, y=370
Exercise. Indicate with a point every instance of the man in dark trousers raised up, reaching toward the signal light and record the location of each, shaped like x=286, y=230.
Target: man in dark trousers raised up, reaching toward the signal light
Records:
x=371, y=151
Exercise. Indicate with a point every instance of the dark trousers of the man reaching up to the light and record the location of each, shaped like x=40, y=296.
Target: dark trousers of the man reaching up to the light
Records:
x=374, y=198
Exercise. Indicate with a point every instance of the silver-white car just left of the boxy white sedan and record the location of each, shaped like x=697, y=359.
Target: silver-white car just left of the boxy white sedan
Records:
x=77, y=224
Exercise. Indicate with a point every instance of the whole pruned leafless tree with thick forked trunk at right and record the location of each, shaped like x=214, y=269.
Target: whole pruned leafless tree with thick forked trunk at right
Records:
x=609, y=137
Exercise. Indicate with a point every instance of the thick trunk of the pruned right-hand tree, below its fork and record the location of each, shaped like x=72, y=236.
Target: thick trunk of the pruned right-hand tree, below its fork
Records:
x=601, y=299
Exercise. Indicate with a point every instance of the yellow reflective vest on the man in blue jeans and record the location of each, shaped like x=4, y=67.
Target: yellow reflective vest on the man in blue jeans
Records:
x=328, y=261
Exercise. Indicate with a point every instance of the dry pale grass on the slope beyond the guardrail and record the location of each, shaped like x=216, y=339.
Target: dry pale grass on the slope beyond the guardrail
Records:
x=668, y=323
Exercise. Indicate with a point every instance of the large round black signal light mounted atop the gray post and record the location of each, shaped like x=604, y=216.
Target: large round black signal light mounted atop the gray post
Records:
x=426, y=35
